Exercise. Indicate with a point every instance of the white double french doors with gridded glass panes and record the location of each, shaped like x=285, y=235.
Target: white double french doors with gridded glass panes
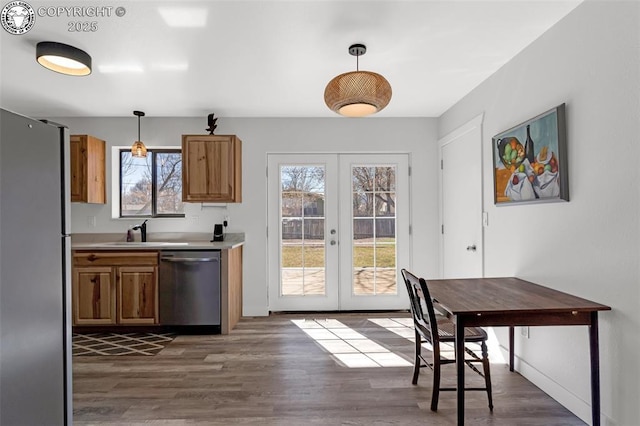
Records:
x=338, y=231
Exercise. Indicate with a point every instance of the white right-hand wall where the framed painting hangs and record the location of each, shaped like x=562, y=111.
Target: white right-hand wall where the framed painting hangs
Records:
x=590, y=245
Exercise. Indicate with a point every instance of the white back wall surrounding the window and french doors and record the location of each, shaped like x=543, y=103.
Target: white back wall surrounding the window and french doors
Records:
x=416, y=136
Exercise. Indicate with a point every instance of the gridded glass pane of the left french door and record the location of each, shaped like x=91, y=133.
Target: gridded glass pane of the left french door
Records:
x=302, y=222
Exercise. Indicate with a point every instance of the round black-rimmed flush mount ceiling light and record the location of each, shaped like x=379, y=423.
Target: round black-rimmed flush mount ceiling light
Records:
x=63, y=58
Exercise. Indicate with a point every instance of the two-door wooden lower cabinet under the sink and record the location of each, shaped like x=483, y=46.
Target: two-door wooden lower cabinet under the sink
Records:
x=115, y=288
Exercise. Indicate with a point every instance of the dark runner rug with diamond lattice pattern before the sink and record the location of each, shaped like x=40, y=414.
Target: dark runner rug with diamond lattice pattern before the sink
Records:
x=120, y=343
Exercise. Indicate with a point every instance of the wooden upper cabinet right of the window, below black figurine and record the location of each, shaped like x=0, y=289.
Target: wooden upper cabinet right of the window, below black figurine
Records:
x=211, y=168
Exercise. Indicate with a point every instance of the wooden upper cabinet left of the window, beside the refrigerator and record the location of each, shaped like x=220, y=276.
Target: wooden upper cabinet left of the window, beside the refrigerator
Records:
x=88, y=170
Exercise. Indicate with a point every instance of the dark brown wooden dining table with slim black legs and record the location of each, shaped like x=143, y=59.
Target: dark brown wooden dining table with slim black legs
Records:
x=514, y=302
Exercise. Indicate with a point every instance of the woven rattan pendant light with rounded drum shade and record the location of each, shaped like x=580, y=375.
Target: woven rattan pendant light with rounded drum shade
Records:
x=357, y=93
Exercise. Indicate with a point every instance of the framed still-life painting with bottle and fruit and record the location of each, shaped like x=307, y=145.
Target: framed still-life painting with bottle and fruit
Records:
x=530, y=161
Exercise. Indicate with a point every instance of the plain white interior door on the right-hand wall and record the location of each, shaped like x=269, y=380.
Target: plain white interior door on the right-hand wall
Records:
x=461, y=201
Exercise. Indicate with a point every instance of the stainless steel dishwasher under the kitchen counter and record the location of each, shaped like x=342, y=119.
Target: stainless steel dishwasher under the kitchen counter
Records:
x=189, y=284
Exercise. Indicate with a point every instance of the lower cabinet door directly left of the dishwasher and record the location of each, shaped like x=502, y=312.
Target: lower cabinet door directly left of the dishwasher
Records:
x=137, y=295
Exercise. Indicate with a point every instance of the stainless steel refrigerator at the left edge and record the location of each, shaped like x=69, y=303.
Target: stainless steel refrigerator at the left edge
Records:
x=35, y=273
